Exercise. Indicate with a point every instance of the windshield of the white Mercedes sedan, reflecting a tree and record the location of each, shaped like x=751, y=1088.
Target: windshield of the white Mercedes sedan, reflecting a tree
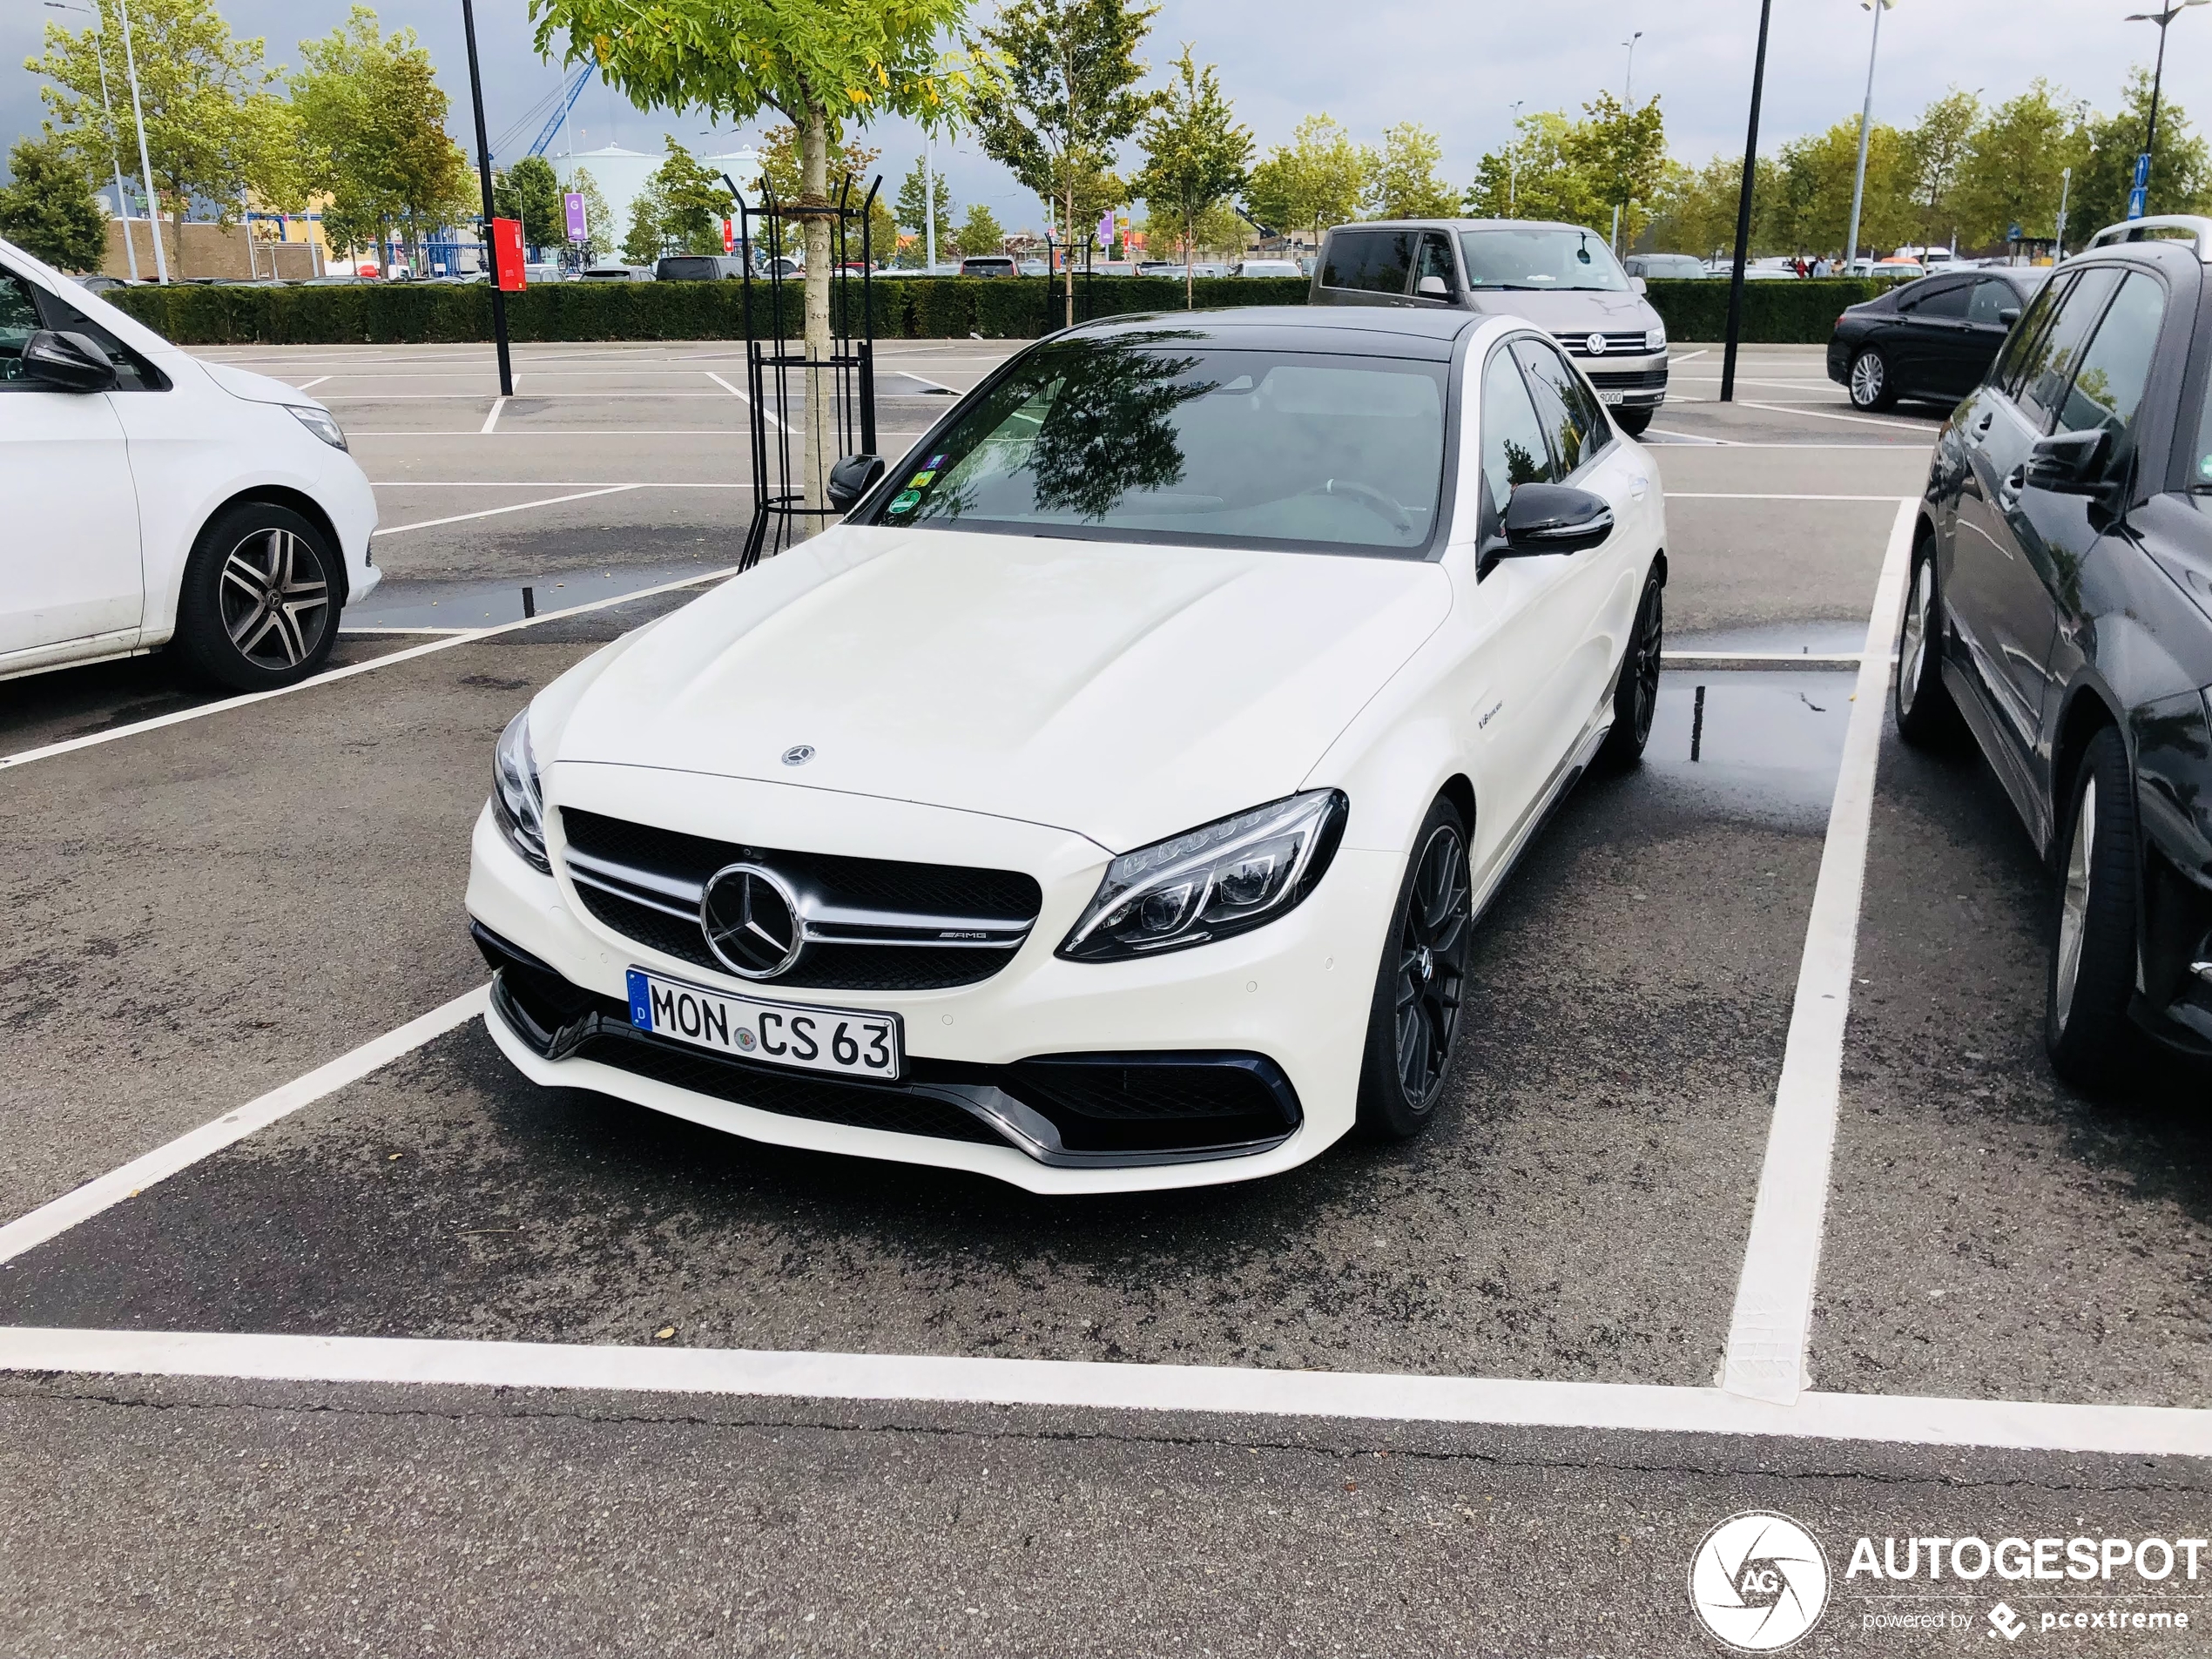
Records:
x=1160, y=439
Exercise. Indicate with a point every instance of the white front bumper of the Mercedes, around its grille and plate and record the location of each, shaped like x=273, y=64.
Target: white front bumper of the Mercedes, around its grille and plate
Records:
x=1286, y=1003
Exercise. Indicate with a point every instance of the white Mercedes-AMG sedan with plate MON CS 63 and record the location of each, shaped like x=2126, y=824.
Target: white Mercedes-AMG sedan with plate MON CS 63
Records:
x=1107, y=802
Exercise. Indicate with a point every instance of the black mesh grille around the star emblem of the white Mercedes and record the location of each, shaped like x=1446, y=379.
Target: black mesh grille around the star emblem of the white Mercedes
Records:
x=862, y=884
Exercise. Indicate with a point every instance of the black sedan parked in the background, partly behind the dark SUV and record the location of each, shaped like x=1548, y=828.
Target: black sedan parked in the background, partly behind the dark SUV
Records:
x=1930, y=340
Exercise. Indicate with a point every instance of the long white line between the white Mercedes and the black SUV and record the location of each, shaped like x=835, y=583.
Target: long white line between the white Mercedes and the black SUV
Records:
x=1782, y=1260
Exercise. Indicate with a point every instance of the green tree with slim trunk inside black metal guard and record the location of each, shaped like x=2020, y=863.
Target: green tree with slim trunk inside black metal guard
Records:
x=824, y=65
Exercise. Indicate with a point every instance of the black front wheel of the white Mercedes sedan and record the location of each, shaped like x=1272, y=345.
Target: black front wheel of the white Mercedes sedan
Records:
x=1415, y=1023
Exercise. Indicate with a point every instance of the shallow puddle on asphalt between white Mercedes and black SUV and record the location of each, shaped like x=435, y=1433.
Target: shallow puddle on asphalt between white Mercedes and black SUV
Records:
x=1753, y=744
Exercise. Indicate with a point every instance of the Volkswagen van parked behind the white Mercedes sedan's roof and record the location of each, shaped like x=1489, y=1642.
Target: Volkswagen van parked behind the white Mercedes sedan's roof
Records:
x=1556, y=275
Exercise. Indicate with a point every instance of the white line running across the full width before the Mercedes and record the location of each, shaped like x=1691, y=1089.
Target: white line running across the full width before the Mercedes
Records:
x=1218, y=1390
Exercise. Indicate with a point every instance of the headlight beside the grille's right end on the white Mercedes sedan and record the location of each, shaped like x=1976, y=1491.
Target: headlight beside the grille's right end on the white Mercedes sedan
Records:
x=1213, y=881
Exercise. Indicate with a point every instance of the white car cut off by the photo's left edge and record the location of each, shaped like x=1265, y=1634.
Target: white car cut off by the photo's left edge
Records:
x=156, y=499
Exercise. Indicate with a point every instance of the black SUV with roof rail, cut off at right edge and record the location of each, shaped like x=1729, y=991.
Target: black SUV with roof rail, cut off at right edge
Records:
x=2063, y=607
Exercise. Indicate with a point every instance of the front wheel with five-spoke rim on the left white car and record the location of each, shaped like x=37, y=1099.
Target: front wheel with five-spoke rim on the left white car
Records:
x=260, y=598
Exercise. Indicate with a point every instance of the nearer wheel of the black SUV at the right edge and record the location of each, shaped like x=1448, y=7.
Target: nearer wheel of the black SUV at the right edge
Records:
x=2087, y=1030
